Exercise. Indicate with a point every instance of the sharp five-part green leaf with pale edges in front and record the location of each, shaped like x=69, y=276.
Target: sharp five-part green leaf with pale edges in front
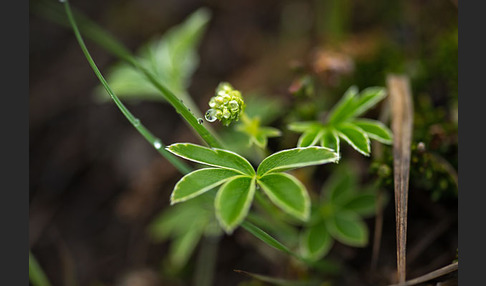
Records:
x=239, y=180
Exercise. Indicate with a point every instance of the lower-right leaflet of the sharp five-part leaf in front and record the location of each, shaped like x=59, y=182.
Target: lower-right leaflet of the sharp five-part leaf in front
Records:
x=287, y=193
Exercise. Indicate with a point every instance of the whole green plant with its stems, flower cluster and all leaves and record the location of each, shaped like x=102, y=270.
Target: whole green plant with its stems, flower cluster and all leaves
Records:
x=237, y=184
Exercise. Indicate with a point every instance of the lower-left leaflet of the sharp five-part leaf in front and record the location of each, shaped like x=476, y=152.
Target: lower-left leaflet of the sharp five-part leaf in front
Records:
x=199, y=182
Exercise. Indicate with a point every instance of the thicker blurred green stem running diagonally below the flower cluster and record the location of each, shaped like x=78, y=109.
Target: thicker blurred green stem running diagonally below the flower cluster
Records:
x=109, y=43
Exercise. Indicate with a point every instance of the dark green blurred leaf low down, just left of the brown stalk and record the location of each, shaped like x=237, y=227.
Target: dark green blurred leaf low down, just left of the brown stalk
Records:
x=338, y=215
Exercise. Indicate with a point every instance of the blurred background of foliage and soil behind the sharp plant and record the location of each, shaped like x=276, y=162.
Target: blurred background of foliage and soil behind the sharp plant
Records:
x=99, y=195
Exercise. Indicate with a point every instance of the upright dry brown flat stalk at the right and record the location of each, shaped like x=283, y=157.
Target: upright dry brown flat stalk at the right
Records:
x=402, y=119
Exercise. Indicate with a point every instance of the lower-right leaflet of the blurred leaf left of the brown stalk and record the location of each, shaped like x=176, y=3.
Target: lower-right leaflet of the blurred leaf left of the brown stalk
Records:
x=348, y=228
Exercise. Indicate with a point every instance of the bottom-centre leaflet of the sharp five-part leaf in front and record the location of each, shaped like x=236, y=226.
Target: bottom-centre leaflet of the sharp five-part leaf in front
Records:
x=233, y=202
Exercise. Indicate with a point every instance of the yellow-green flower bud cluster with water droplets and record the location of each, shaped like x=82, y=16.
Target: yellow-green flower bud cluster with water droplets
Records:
x=226, y=106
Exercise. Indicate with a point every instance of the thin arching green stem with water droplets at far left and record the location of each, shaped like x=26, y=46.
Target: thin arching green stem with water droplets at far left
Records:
x=156, y=142
